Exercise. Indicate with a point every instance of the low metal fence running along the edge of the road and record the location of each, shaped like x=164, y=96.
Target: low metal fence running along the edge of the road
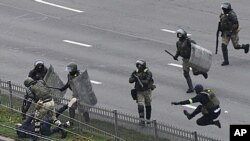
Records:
x=119, y=126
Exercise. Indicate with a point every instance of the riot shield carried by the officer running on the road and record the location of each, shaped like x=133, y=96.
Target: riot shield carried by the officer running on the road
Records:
x=201, y=58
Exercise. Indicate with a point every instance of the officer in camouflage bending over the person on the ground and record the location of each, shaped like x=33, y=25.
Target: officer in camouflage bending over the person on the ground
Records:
x=44, y=103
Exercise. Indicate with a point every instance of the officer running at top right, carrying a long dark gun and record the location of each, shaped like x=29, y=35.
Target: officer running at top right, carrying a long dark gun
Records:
x=229, y=26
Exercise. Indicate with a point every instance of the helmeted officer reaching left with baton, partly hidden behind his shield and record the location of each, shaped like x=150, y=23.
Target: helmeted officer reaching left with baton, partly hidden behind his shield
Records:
x=72, y=105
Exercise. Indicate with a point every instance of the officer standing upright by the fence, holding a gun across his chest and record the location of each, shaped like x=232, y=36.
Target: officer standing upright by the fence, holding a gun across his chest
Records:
x=142, y=77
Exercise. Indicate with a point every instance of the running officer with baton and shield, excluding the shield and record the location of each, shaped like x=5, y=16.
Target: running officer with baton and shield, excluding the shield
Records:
x=184, y=50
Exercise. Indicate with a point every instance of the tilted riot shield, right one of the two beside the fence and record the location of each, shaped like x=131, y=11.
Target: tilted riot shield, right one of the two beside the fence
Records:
x=82, y=89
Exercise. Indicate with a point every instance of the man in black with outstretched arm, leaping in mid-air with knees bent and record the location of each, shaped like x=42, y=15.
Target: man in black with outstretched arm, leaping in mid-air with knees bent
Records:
x=209, y=106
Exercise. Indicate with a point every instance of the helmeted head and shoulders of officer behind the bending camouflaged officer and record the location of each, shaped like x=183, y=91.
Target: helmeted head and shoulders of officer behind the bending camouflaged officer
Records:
x=39, y=70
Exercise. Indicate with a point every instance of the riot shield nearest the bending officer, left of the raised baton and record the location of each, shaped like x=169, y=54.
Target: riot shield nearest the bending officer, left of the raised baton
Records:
x=52, y=80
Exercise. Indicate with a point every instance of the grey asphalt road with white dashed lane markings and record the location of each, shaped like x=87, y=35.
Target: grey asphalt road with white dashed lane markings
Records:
x=112, y=34
